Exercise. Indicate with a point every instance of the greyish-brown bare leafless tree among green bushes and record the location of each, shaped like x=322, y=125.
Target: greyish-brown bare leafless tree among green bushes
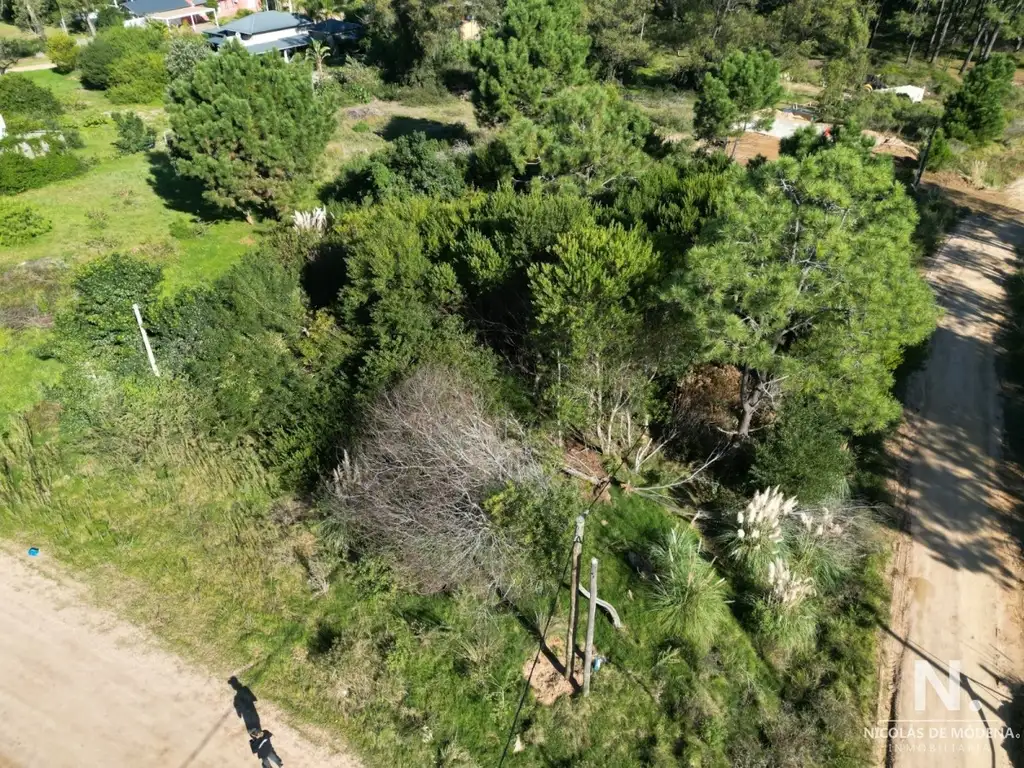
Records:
x=416, y=487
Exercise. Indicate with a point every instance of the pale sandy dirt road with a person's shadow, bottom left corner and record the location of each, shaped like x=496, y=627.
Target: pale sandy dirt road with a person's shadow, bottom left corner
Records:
x=78, y=688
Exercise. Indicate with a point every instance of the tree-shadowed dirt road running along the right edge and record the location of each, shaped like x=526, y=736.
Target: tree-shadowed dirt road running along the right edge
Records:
x=956, y=608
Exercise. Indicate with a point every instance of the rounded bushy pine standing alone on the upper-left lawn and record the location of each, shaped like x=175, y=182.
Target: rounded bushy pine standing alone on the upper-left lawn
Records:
x=249, y=129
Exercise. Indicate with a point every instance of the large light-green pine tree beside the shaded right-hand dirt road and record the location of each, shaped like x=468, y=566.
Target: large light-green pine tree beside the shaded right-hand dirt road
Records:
x=806, y=283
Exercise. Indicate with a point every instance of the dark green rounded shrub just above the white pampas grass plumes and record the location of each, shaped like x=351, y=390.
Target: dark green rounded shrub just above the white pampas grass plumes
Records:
x=804, y=454
